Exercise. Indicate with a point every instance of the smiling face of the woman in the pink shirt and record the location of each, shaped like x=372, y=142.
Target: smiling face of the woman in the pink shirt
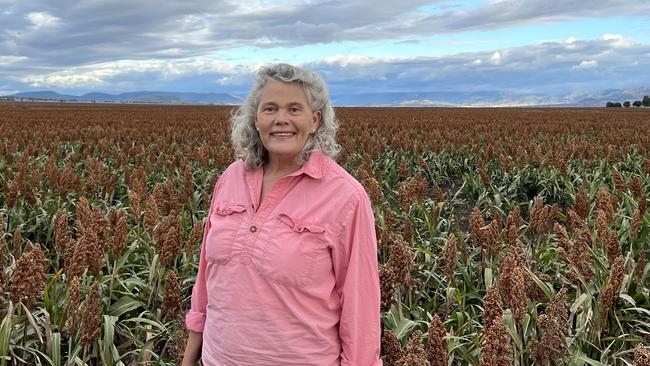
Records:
x=284, y=119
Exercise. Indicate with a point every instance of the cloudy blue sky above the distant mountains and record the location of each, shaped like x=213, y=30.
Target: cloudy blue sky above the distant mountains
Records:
x=525, y=46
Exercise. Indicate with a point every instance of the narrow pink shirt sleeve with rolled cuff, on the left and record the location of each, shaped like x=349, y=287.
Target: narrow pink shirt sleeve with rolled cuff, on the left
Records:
x=195, y=317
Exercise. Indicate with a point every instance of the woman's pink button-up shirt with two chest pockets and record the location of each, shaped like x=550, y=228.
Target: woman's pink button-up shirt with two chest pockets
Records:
x=293, y=281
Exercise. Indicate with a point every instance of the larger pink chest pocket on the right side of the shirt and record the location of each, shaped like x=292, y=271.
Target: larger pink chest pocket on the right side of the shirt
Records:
x=289, y=250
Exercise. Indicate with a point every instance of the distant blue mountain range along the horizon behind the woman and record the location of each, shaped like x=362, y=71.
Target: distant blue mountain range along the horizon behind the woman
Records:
x=403, y=99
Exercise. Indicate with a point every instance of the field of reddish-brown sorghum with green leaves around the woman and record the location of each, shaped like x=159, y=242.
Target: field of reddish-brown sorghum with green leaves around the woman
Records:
x=506, y=236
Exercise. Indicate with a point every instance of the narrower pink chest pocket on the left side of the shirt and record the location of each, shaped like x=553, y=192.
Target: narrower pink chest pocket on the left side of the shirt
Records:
x=224, y=223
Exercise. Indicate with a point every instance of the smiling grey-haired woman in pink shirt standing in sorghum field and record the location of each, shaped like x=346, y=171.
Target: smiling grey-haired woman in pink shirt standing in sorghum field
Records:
x=288, y=267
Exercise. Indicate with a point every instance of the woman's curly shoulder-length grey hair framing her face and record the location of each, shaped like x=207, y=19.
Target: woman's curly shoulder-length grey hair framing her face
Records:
x=245, y=138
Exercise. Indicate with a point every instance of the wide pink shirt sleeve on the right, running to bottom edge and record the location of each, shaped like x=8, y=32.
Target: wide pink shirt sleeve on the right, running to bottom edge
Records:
x=357, y=283
